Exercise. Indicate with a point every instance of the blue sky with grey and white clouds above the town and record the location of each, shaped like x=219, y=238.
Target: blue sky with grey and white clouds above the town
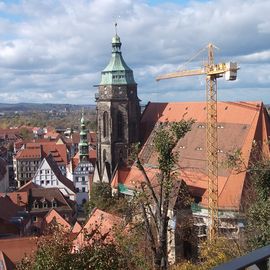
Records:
x=54, y=50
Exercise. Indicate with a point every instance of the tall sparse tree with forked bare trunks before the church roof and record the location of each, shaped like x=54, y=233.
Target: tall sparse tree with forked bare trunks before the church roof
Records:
x=154, y=198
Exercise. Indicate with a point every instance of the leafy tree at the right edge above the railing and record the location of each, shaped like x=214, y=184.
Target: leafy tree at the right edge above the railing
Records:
x=256, y=205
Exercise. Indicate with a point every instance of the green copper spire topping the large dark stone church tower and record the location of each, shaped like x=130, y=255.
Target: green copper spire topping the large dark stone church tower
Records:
x=117, y=71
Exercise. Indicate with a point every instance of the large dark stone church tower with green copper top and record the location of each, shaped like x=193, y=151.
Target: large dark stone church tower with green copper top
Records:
x=118, y=113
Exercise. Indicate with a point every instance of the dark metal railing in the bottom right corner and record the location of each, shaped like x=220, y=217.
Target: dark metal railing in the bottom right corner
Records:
x=258, y=257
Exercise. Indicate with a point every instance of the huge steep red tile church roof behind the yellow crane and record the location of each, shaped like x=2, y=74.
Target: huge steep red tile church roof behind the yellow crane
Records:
x=239, y=124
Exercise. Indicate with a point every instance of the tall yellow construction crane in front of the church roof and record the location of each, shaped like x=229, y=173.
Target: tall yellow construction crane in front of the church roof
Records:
x=212, y=72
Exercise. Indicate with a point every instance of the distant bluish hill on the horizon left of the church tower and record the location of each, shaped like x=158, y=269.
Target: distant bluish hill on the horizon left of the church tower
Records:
x=24, y=107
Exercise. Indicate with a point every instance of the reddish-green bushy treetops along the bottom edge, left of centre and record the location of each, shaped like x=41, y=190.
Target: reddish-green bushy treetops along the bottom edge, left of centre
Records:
x=55, y=251
